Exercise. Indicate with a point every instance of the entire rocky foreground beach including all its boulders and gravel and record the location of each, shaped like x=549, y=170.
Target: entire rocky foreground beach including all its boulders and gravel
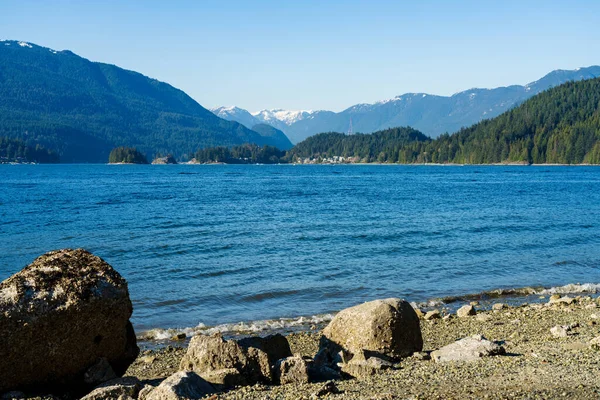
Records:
x=382, y=349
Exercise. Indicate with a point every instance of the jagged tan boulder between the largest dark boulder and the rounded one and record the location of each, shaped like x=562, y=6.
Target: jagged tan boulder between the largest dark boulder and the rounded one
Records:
x=226, y=363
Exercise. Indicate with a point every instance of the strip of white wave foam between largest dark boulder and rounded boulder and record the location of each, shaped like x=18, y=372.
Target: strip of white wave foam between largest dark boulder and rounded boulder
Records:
x=240, y=328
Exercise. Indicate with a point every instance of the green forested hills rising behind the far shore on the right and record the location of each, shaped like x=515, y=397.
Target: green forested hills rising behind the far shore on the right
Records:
x=560, y=125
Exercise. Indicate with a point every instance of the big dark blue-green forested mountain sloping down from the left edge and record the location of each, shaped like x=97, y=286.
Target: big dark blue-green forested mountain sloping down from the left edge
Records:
x=83, y=109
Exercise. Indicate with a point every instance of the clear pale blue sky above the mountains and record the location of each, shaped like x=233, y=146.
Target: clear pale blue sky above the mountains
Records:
x=317, y=54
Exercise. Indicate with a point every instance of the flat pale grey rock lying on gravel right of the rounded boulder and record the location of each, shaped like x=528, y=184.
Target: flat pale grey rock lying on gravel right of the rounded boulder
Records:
x=467, y=349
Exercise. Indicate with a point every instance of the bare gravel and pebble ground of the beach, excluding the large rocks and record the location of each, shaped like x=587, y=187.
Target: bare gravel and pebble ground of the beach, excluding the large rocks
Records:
x=537, y=364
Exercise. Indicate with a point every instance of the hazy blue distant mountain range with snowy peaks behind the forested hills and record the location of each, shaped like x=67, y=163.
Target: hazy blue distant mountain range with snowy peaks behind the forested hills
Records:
x=431, y=114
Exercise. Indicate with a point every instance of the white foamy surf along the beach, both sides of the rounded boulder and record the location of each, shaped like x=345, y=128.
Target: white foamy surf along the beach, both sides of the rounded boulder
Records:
x=158, y=337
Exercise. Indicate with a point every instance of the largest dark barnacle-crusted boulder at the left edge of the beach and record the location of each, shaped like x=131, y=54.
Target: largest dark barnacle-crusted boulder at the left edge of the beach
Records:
x=65, y=314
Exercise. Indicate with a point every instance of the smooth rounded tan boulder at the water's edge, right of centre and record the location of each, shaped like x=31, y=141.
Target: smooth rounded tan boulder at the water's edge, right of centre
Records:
x=387, y=329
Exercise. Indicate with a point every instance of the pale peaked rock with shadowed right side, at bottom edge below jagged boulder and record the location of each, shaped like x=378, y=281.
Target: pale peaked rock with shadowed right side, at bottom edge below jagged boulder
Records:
x=181, y=385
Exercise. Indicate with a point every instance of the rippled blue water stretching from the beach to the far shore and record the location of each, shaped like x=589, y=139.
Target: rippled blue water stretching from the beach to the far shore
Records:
x=215, y=244
